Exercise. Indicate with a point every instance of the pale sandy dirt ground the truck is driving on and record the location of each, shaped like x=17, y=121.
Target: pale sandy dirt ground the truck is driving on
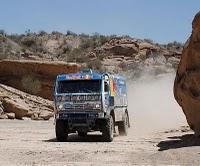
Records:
x=33, y=143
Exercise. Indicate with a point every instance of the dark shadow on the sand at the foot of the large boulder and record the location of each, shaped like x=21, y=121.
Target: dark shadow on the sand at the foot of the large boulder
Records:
x=179, y=142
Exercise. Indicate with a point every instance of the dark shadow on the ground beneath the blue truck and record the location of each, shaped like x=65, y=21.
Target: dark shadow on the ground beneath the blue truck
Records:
x=76, y=138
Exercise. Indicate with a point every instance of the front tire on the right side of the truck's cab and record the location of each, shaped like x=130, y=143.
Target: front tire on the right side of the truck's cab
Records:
x=108, y=130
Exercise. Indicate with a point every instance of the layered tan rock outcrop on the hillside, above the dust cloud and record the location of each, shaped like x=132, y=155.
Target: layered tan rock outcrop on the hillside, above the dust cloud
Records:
x=133, y=54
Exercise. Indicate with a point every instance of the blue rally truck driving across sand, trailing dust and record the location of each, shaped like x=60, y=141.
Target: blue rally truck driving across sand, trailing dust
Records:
x=90, y=101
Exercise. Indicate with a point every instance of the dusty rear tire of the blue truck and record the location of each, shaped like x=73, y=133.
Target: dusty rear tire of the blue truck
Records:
x=124, y=125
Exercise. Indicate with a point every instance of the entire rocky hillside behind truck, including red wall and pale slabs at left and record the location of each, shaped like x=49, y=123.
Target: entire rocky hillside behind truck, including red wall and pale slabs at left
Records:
x=31, y=61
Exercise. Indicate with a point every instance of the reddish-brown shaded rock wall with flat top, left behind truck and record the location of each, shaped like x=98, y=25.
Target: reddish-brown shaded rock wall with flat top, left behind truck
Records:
x=34, y=77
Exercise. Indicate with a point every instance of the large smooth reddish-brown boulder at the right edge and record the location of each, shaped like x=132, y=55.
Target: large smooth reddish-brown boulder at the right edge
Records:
x=187, y=82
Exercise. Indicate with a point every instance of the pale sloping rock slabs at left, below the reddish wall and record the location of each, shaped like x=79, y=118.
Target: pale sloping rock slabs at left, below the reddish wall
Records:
x=17, y=104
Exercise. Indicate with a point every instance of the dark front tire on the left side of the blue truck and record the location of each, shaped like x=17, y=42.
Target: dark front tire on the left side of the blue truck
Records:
x=61, y=131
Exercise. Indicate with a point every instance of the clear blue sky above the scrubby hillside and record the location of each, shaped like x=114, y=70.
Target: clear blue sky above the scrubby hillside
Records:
x=162, y=21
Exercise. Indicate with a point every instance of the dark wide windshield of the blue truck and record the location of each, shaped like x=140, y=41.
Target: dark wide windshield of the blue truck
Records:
x=79, y=86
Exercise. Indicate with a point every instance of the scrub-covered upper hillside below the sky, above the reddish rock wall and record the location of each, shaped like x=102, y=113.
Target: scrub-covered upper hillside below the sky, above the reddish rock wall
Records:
x=116, y=54
